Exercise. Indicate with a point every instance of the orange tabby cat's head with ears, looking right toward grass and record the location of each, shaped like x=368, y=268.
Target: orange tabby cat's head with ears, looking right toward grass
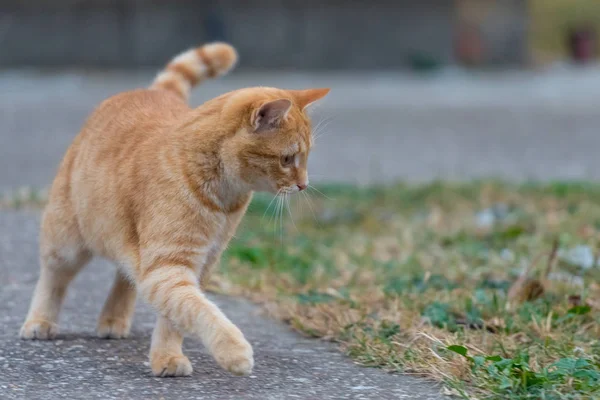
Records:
x=269, y=152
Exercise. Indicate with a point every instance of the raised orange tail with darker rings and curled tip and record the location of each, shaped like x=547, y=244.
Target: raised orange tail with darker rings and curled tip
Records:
x=193, y=66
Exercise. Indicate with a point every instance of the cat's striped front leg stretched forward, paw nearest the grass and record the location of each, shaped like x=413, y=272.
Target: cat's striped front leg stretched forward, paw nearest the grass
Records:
x=171, y=286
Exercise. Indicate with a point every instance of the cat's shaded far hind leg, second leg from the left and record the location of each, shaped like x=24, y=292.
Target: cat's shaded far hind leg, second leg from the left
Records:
x=117, y=313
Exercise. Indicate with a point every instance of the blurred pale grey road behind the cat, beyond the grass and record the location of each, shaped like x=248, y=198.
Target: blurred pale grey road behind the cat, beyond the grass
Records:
x=376, y=126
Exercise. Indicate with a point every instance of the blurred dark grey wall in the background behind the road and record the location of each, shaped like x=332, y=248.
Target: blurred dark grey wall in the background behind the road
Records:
x=290, y=34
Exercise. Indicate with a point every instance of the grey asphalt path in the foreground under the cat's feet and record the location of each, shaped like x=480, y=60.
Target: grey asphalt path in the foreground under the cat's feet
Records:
x=79, y=366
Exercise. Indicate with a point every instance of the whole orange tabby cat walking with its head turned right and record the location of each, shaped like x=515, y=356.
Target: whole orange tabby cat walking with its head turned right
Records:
x=160, y=188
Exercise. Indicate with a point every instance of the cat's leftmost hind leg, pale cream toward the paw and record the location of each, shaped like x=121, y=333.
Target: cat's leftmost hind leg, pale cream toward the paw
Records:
x=62, y=255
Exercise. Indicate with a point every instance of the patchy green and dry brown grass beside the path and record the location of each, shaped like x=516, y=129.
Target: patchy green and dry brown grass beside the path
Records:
x=417, y=279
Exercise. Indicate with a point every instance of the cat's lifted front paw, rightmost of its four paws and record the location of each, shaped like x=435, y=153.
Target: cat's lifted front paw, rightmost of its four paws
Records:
x=235, y=355
